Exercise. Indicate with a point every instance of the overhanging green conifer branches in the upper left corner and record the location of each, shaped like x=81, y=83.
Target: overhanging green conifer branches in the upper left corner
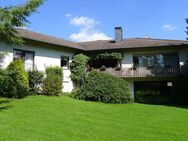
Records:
x=11, y=17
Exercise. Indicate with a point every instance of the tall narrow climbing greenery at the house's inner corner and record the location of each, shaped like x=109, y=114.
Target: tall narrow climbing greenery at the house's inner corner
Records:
x=78, y=69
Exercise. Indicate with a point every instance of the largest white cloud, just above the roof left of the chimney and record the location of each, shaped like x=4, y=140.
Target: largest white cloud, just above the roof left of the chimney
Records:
x=87, y=30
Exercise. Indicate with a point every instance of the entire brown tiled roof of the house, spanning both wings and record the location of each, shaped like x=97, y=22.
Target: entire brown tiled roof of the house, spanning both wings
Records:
x=101, y=44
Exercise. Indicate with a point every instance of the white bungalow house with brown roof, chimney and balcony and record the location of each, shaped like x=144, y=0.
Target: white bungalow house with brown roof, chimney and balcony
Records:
x=146, y=62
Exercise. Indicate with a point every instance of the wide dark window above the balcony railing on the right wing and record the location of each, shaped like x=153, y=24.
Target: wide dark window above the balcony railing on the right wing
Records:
x=158, y=60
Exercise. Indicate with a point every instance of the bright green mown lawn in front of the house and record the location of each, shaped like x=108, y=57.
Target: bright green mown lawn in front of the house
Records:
x=40, y=118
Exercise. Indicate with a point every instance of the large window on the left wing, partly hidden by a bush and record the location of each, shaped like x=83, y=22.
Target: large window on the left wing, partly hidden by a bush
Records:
x=27, y=56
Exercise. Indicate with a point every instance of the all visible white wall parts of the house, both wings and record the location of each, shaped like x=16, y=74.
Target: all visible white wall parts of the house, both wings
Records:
x=49, y=56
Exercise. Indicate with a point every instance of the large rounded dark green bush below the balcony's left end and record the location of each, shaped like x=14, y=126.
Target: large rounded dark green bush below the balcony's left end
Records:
x=105, y=88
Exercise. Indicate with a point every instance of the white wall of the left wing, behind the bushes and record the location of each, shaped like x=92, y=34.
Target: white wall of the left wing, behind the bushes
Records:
x=44, y=57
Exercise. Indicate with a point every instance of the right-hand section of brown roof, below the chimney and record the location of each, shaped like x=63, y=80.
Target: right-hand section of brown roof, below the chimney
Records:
x=131, y=43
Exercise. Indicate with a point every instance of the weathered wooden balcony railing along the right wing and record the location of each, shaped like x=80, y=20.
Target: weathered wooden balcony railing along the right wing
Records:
x=142, y=72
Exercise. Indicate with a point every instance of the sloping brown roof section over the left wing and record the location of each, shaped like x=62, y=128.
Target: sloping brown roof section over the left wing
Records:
x=27, y=34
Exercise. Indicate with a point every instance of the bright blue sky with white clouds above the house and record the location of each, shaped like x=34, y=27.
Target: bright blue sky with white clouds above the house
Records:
x=86, y=20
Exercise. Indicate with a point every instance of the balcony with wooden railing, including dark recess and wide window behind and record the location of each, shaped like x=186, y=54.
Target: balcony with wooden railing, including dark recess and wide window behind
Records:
x=151, y=65
